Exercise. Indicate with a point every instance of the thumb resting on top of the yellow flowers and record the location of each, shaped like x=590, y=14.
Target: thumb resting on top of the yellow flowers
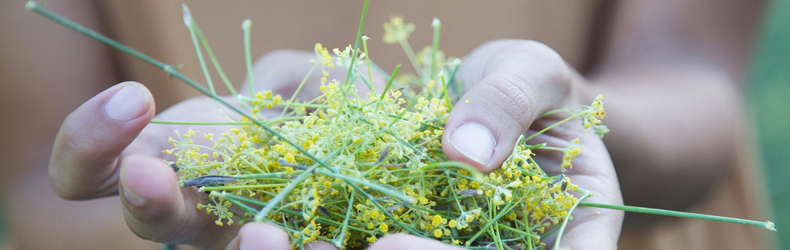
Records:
x=513, y=83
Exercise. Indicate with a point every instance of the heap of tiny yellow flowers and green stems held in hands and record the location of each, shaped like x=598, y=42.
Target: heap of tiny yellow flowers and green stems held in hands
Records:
x=350, y=169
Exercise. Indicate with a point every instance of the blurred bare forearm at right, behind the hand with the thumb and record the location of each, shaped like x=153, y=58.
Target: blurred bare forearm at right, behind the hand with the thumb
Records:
x=674, y=130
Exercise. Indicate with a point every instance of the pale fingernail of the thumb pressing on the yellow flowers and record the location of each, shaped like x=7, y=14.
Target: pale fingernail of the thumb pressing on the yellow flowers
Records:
x=474, y=141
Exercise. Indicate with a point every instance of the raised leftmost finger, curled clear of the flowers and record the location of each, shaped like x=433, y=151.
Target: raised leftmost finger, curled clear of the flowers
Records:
x=84, y=155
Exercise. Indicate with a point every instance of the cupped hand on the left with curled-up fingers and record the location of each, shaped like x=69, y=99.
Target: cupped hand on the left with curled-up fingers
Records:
x=107, y=146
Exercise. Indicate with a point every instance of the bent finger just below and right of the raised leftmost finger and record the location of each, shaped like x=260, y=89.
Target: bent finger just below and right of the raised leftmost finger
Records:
x=155, y=208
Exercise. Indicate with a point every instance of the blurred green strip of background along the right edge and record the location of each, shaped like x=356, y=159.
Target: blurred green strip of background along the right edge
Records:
x=769, y=98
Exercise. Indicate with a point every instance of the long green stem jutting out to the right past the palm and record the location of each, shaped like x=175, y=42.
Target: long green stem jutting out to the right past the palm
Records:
x=764, y=224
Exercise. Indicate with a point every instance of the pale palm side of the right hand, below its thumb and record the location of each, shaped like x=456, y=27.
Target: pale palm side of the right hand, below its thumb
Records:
x=592, y=171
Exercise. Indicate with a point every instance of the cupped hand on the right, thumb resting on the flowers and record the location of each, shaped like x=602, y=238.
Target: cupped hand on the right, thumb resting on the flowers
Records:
x=510, y=84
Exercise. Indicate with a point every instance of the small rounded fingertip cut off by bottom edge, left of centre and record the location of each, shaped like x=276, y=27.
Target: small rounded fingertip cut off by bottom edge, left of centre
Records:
x=261, y=236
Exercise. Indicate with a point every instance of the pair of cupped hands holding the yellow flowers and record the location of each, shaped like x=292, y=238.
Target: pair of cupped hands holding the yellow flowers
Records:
x=107, y=147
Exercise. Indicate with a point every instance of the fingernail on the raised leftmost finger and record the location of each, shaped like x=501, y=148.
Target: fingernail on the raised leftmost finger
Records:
x=130, y=102
